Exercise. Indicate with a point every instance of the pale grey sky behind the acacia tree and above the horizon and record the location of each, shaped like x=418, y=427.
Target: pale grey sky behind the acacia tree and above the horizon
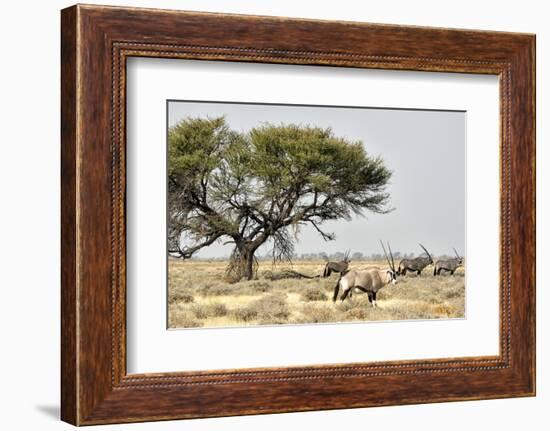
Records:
x=425, y=150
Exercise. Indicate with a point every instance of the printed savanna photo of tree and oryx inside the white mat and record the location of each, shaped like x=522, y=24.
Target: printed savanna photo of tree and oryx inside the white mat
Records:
x=295, y=214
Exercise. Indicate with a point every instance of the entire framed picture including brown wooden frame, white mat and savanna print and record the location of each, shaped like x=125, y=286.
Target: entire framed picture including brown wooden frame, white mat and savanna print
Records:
x=262, y=214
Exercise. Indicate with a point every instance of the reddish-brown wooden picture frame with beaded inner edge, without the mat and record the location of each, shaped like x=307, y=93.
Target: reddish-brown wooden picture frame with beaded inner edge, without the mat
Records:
x=95, y=43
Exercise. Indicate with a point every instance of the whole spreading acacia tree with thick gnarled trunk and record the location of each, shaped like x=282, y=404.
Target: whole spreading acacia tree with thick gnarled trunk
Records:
x=248, y=188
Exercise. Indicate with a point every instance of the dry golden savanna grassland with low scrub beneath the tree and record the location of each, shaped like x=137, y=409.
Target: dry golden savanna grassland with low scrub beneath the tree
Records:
x=199, y=296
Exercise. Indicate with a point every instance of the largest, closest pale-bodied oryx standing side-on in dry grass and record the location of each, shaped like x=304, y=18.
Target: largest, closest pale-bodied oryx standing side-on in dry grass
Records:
x=366, y=280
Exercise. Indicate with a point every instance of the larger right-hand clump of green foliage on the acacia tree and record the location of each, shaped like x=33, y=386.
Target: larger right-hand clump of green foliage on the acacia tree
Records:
x=310, y=162
